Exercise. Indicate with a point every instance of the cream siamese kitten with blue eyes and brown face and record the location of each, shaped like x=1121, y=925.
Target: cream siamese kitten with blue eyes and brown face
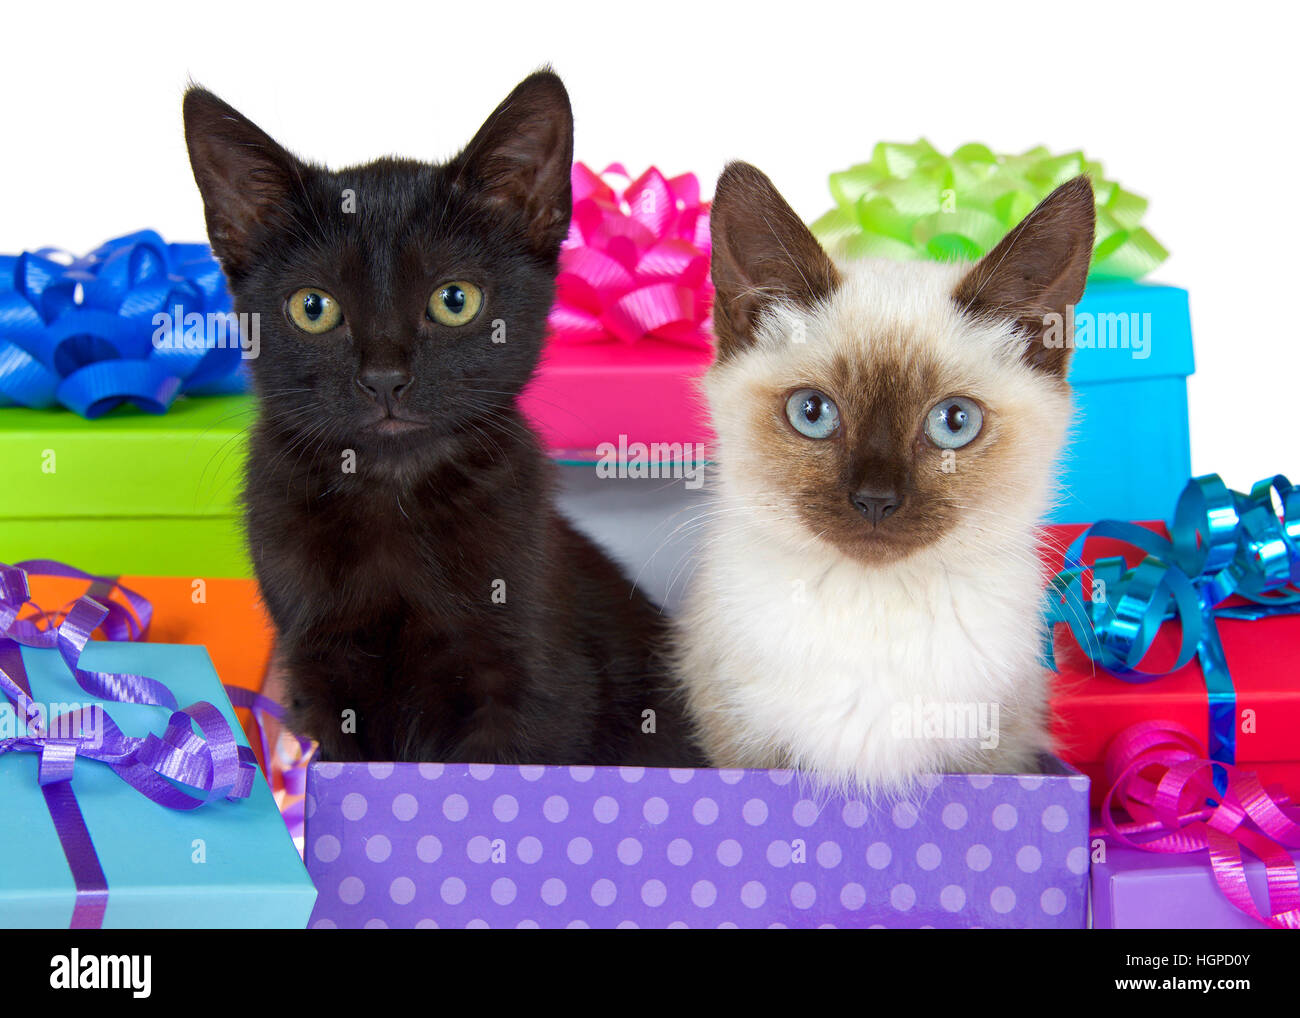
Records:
x=869, y=599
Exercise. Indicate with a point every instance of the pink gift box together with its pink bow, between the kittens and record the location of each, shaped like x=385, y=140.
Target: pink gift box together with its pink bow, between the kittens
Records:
x=630, y=333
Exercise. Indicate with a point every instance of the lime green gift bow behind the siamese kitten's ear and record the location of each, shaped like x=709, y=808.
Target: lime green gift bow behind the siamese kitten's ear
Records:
x=913, y=202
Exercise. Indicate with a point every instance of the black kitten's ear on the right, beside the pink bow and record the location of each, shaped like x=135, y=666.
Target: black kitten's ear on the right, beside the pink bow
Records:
x=523, y=159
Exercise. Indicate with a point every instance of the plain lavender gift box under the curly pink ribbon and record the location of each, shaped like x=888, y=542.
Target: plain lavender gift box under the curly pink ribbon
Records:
x=1136, y=890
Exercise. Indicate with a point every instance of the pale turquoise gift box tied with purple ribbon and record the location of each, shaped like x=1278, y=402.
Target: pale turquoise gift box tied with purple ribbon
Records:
x=227, y=865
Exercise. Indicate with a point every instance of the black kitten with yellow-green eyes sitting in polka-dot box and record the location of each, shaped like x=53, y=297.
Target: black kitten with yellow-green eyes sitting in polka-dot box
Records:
x=431, y=604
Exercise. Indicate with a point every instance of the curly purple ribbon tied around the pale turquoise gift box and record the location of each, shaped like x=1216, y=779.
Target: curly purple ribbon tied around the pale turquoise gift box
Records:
x=210, y=761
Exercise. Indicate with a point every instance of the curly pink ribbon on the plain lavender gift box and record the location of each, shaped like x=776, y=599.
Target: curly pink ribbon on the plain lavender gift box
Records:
x=1160, y=776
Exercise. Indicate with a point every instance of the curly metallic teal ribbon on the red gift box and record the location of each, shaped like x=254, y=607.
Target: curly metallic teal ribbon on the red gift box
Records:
x=1223, y=544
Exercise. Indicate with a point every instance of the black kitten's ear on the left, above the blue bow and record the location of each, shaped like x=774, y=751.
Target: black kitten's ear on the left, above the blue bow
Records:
x=246, y=180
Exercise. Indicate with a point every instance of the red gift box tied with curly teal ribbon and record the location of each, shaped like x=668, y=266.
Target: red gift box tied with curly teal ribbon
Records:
x=1090, y=705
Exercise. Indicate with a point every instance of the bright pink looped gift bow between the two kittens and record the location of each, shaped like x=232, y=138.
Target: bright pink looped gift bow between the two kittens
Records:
x=636, y=261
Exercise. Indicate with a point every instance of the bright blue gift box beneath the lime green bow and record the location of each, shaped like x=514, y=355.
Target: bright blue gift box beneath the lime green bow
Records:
x=1129, y=456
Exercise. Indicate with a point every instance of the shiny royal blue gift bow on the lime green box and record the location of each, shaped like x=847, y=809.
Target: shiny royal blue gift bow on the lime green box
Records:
x=80, y=331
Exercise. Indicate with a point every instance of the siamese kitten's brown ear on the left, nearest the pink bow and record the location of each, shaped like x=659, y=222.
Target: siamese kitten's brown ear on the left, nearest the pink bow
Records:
x=762, y=254
